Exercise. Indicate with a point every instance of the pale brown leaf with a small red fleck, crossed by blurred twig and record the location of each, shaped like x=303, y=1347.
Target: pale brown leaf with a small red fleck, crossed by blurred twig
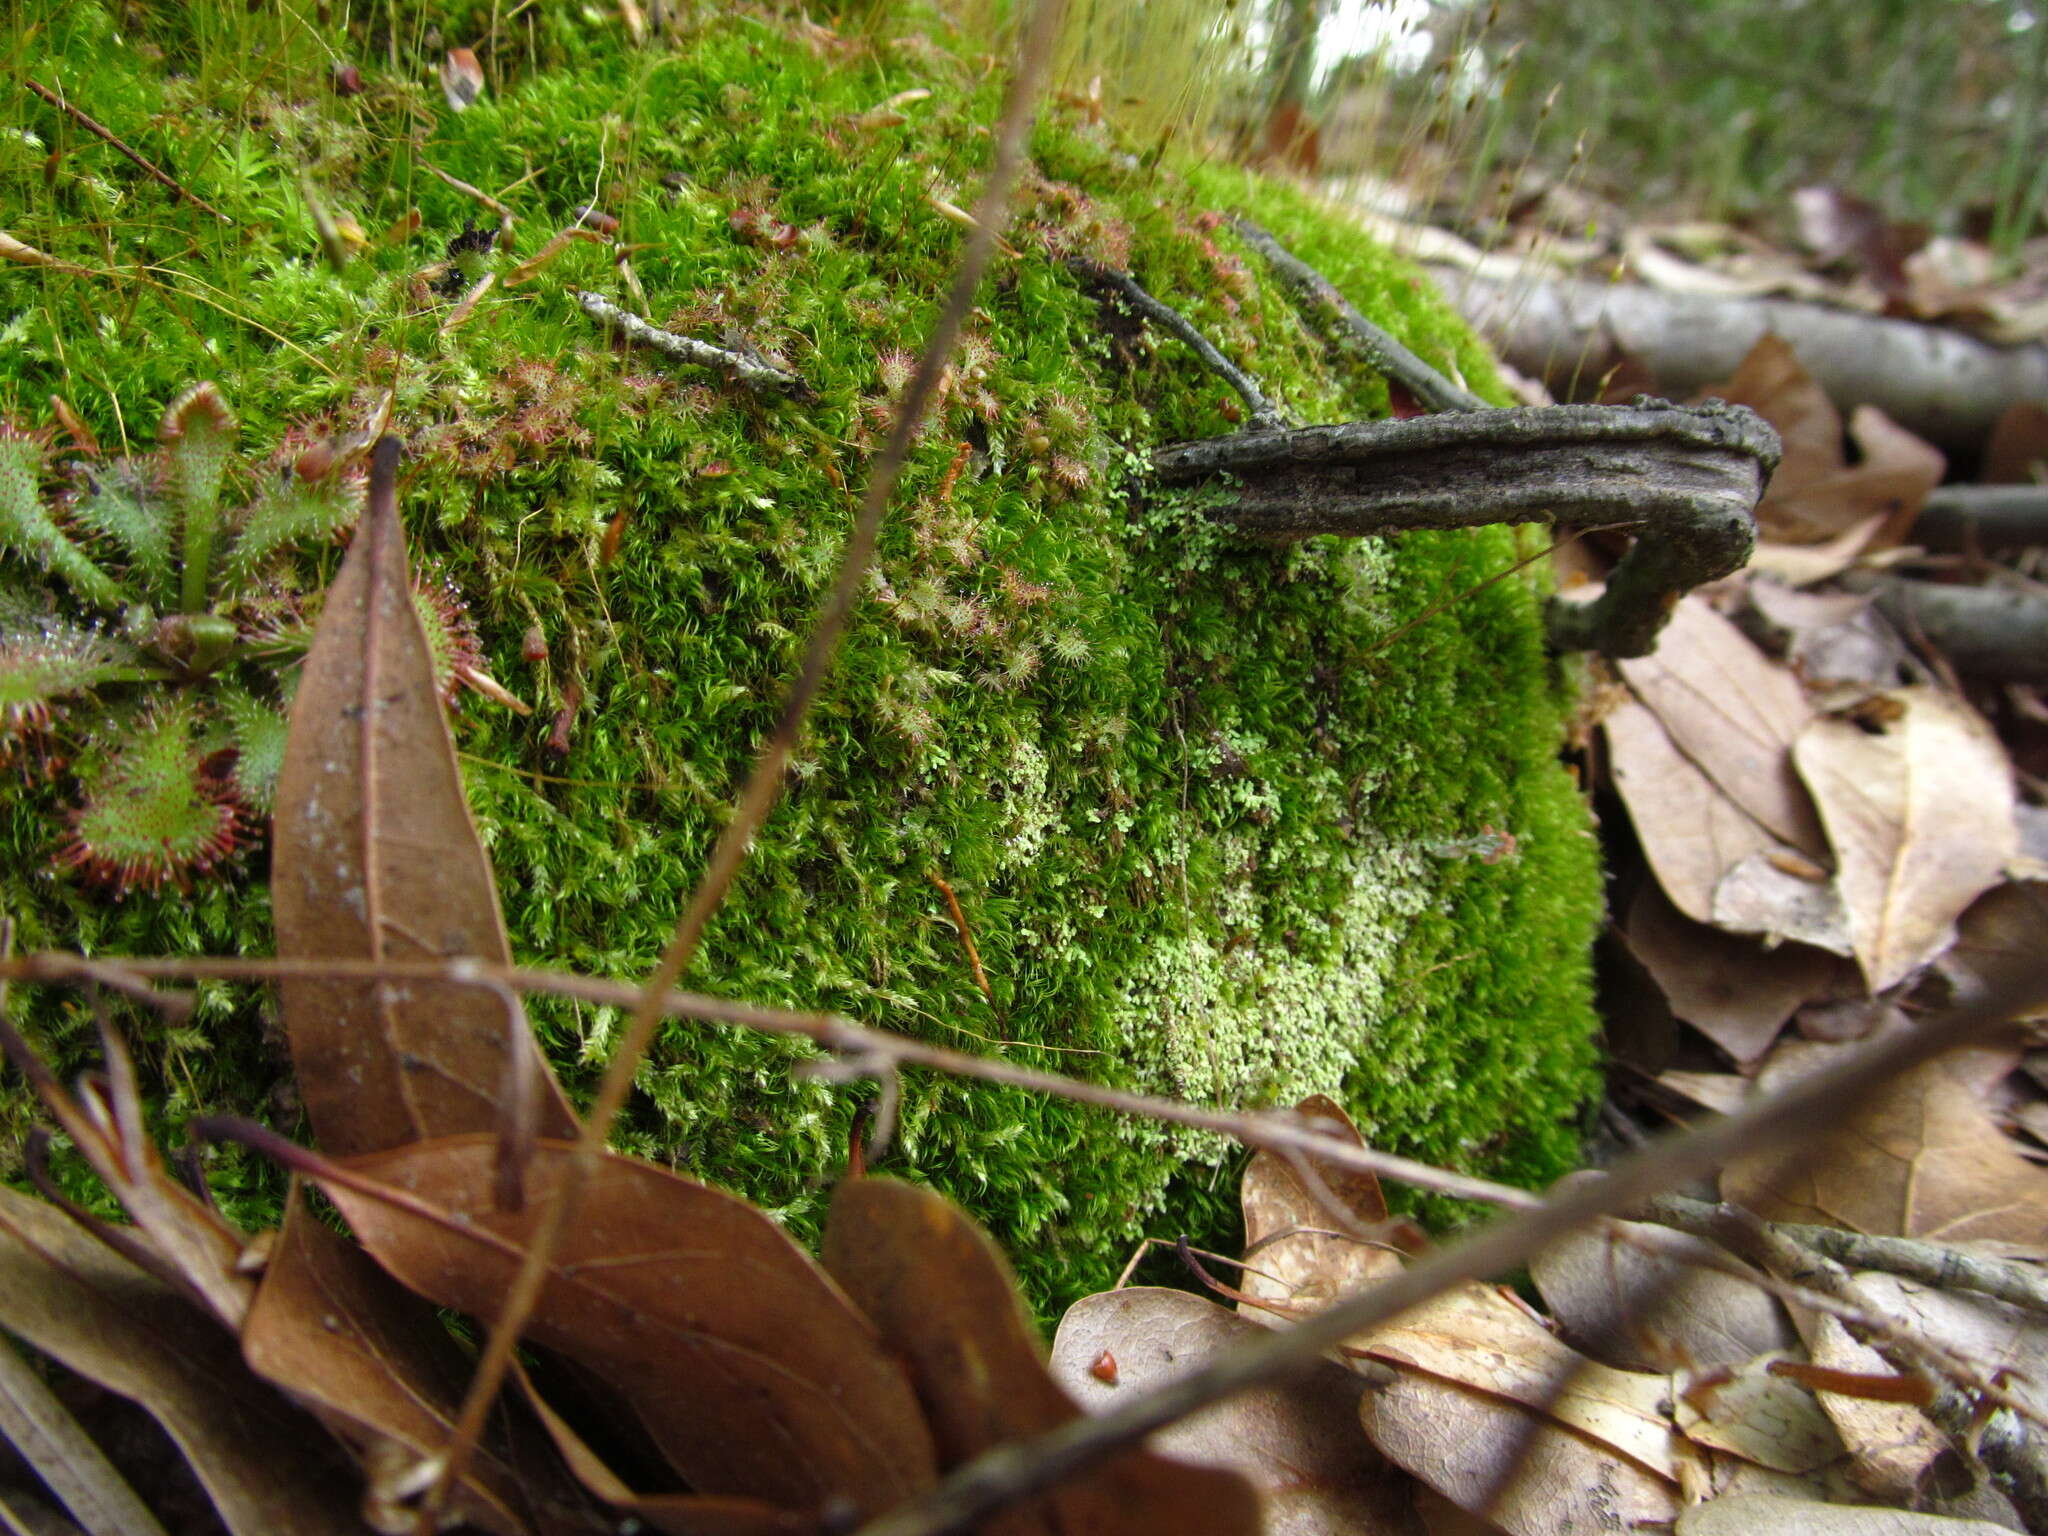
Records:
x=1299, y=1445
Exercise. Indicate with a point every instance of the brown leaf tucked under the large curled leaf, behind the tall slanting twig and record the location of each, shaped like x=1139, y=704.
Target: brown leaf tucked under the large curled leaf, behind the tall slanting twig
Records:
x=337, y=1332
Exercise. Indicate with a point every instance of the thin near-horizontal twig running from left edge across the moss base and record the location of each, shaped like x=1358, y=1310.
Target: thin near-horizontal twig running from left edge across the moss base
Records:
x=867, y=1052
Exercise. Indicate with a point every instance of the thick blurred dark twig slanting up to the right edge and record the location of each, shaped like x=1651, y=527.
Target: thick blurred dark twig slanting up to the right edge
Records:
x=1021, y=1469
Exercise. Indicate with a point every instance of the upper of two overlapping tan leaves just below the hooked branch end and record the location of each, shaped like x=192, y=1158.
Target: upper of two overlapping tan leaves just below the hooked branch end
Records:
x=1732, y=712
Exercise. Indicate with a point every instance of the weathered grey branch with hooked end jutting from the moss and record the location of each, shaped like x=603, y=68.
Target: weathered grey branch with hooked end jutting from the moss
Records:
x=1687, y=478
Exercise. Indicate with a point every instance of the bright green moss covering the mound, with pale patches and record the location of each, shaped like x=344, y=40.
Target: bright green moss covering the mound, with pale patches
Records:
x=1215, y=835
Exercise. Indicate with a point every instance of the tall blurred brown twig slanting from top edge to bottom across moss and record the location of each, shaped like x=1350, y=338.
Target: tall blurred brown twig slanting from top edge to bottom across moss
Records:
x=769, y=773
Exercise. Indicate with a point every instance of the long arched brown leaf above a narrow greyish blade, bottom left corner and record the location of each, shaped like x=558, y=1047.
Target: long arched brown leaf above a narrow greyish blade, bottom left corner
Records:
x=269, y=1469
